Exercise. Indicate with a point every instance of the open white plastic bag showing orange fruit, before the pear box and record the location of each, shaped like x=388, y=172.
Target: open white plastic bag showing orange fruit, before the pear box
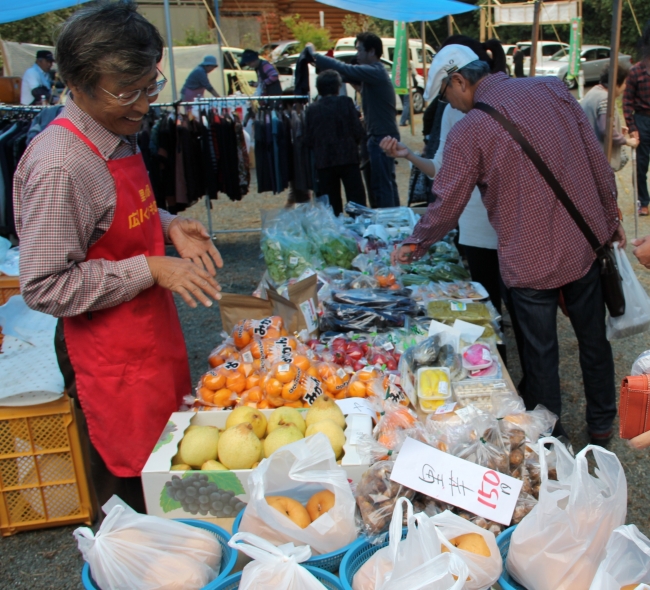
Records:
x=299, y=470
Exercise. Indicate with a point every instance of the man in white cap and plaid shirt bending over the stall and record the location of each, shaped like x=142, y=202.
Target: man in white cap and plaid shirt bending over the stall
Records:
x=542, y=252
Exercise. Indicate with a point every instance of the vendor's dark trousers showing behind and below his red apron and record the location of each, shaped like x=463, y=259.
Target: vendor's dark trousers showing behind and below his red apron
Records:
x=103, y=483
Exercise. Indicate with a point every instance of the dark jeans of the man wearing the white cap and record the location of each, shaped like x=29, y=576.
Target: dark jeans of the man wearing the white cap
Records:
x=536, y=315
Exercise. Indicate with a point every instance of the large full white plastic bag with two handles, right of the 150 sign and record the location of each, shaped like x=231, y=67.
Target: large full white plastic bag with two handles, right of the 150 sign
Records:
x=561, y=542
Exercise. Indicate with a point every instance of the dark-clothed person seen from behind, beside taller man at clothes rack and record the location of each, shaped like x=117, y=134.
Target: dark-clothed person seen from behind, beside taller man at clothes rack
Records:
x=333, y=131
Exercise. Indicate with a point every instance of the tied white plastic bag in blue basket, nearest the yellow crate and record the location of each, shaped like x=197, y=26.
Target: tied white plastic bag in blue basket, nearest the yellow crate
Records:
x=134, y=551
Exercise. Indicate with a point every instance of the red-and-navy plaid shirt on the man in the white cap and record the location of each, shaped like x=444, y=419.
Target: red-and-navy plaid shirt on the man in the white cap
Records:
x=540, y=246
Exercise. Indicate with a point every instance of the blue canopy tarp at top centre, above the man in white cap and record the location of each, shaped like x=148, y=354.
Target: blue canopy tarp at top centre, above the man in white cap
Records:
x=411, y=11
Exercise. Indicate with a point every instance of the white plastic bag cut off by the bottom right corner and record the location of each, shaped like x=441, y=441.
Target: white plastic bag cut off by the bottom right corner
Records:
x=627, y=561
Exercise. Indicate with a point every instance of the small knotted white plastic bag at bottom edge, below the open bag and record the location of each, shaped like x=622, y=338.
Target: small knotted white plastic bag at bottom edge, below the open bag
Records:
x=273, y=568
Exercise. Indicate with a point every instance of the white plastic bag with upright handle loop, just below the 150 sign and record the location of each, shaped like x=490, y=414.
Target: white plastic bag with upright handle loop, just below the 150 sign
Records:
x=414, y=562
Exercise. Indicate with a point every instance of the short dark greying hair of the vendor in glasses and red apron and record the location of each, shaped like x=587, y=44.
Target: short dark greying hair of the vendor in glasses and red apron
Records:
x=107, y=38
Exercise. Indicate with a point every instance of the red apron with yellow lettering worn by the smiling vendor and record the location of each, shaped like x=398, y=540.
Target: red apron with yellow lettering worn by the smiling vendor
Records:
x=130, y=361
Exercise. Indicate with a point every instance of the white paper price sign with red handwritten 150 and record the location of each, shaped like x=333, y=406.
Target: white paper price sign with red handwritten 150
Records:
x=455, y=481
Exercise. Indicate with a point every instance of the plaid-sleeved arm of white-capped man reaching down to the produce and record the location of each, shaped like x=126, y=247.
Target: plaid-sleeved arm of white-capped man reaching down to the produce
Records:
x=453, y=188
